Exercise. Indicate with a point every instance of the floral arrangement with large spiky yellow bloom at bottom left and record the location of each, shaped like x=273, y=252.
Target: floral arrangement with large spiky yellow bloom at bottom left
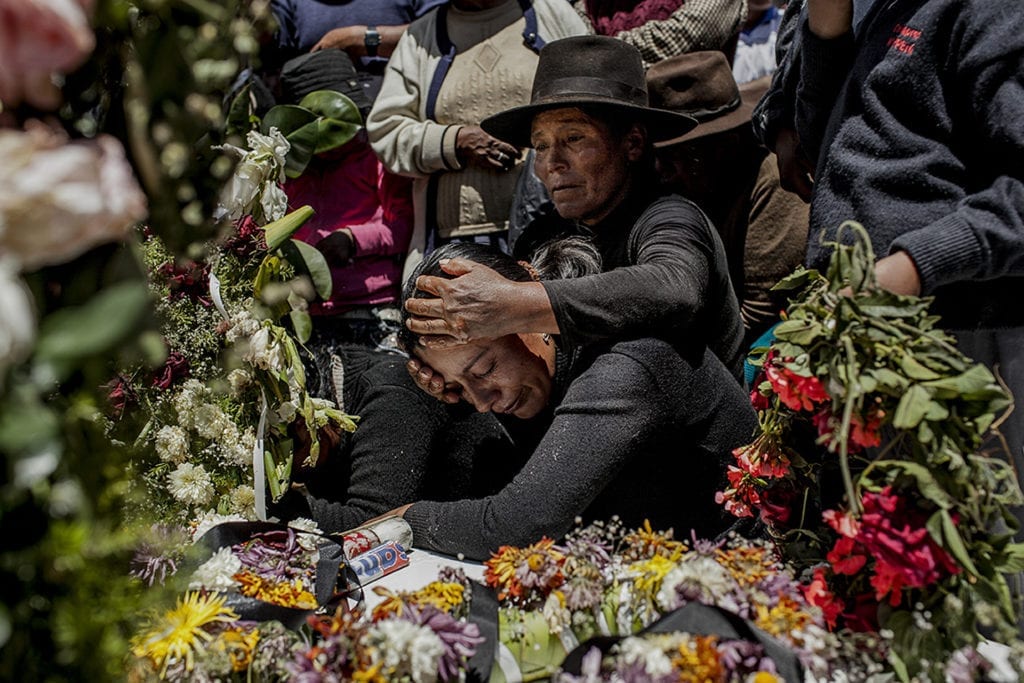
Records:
x=284, y=632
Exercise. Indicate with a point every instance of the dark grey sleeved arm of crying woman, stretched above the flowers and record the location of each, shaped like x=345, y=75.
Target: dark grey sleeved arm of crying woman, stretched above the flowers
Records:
x=608, y=415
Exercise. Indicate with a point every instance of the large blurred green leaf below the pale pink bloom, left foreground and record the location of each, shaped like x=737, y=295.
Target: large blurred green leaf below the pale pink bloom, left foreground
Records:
x=96, y=327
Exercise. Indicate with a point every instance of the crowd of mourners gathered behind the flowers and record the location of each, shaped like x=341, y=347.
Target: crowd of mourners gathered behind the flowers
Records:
x=554, y=241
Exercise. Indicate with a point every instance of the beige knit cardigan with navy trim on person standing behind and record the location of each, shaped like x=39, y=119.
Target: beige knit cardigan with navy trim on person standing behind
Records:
x=493, y=71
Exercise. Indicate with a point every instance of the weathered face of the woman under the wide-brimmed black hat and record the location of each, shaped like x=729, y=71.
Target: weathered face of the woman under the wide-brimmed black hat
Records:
x=585, y=168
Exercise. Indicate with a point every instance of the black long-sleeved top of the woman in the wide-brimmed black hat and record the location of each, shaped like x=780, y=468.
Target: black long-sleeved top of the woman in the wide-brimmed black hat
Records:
x=666, y=276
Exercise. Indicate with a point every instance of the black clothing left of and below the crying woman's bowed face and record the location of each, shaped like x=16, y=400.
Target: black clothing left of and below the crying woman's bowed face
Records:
x=408, y=446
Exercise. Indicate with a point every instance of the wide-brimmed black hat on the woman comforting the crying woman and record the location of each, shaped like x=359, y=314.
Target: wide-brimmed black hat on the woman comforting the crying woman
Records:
x=589, y=71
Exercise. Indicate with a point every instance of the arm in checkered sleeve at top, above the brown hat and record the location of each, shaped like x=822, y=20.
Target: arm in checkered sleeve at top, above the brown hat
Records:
x=697, y=25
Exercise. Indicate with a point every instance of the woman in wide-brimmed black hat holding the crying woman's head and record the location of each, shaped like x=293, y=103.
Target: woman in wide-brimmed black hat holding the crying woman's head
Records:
x=666, y=273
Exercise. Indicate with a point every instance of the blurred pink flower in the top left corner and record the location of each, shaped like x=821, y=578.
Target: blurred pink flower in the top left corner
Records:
x=39, y=38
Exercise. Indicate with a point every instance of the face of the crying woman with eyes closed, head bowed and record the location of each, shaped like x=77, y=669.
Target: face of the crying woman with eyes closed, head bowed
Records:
x=510, y=375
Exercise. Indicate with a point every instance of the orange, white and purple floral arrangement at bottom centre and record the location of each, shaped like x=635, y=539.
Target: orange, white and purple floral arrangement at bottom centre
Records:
x=607, y=581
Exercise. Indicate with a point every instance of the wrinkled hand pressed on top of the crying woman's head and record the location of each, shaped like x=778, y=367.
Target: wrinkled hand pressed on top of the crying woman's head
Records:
x=478, y=304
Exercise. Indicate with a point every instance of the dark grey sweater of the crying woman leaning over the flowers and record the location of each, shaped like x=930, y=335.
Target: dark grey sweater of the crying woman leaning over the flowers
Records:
x=636, y=431
